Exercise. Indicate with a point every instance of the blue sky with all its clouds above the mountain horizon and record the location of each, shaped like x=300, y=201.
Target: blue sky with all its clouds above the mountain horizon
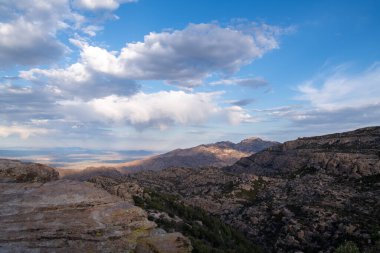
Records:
x=163, y=74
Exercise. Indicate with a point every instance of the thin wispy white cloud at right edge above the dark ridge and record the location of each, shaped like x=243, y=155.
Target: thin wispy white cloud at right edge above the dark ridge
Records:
x=337, y=101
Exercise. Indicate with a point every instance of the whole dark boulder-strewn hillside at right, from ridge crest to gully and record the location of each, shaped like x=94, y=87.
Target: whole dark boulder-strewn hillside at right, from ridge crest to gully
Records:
x=307, y=195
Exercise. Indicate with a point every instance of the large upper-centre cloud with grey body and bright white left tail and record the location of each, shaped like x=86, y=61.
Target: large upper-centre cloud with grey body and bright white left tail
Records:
x=180, y=57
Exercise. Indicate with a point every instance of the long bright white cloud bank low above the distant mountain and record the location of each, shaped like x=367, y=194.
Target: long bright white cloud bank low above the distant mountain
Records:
x=161, y=109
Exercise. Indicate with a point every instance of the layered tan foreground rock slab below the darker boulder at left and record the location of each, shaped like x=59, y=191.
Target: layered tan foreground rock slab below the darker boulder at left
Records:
x=67, y=215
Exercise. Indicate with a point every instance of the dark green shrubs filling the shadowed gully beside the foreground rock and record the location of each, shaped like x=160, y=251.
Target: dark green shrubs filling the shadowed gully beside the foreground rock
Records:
x=209, y=235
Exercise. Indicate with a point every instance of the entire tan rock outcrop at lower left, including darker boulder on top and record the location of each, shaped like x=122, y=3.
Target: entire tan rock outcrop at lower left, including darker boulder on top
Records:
x=41, y=214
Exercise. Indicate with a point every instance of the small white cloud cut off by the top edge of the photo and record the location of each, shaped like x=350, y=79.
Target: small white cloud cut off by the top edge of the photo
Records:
x=100, y=4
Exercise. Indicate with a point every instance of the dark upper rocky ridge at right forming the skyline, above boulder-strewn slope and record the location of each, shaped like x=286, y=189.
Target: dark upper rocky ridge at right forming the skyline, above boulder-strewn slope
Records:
x=354, y=154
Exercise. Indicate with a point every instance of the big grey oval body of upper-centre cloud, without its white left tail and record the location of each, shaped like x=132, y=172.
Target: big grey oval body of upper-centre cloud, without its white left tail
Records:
x=185, y=57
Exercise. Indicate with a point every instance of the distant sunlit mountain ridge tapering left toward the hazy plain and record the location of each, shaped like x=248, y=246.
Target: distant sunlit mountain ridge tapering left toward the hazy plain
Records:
x=218, y=154
